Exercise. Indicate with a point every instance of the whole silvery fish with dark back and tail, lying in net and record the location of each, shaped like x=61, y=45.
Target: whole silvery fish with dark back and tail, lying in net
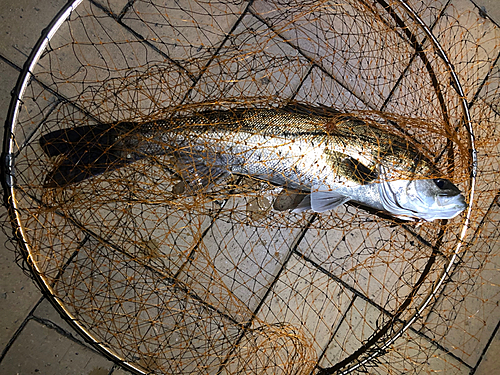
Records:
x=327, y=157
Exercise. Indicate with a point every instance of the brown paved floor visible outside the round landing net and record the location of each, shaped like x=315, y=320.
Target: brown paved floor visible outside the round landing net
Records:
x=35, y=340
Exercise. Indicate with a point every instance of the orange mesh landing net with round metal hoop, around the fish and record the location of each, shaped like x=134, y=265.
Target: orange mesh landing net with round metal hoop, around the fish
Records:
x=171, y=278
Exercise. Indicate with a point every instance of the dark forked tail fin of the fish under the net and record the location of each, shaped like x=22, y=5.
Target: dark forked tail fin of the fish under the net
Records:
x=85, y=151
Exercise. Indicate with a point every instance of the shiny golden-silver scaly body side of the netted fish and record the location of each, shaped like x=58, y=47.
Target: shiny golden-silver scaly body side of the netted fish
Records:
x=295, y=140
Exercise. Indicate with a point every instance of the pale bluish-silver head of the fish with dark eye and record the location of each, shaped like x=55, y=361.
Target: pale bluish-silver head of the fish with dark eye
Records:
x=425, y=199
